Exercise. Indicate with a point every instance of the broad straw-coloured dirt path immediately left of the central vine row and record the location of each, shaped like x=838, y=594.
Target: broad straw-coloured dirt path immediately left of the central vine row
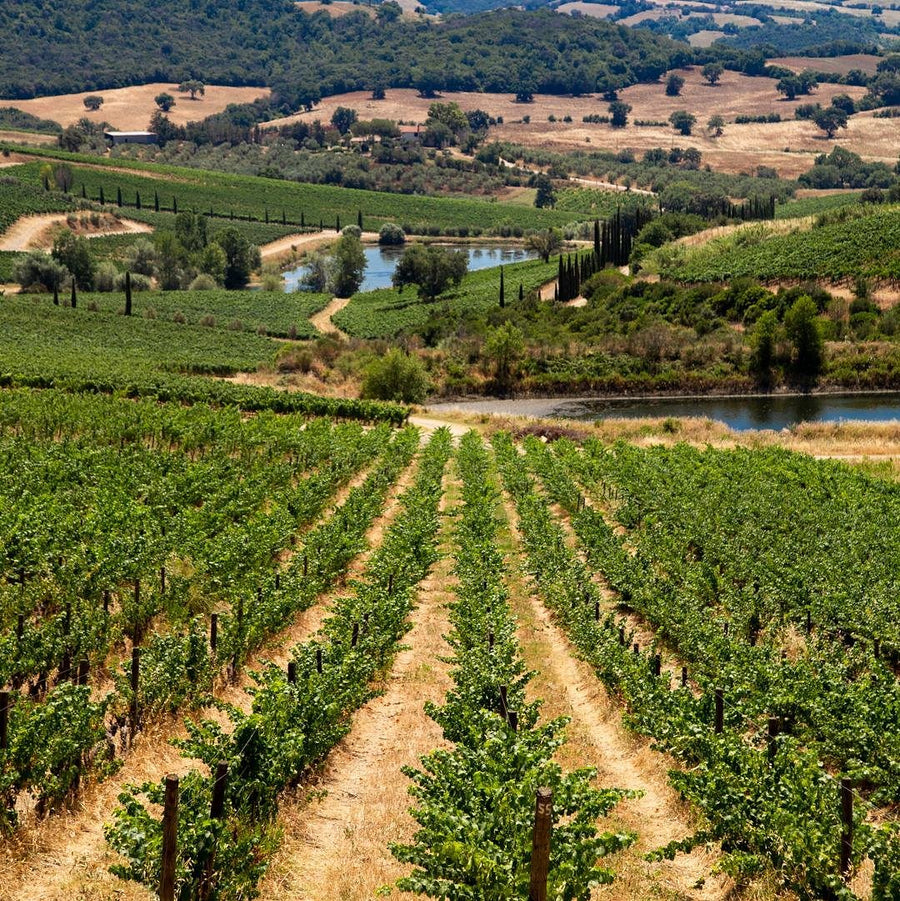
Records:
x=336, y=845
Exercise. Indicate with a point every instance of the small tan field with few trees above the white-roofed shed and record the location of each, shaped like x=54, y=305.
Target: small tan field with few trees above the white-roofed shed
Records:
x=130, y=109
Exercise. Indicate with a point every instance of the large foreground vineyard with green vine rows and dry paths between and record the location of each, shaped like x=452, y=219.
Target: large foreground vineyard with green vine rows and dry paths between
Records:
x=240, y=584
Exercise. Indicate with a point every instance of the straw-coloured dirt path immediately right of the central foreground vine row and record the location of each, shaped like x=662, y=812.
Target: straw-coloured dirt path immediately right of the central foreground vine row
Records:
x=597, y=737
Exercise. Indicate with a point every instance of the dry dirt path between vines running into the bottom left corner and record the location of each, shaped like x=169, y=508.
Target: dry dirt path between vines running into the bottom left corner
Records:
x=66, y=855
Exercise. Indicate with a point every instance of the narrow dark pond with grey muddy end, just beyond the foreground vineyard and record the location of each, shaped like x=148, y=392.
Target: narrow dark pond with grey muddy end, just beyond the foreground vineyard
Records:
x=739, y=412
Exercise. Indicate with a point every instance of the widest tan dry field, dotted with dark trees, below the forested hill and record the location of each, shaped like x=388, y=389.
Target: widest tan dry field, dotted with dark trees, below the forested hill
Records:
x=788, y=146
